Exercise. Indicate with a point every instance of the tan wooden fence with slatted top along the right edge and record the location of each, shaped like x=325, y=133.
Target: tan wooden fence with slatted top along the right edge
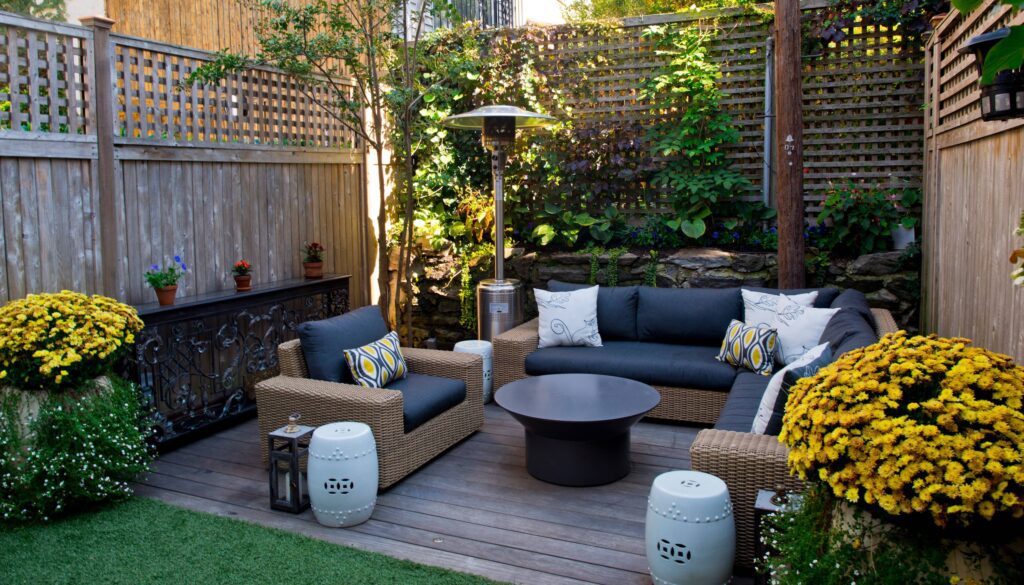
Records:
x=974, y=194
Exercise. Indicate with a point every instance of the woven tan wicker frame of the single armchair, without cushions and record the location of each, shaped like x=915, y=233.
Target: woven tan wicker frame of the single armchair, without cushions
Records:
x=399, y=453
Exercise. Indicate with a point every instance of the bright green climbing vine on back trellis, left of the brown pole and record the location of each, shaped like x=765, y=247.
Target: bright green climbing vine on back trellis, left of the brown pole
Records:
x=698, y=175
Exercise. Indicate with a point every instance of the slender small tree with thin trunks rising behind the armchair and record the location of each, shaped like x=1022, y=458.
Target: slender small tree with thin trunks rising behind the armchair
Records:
x=361, y=53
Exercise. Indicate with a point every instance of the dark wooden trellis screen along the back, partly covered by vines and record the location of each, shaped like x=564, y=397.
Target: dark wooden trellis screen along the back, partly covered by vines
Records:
x=863, y=98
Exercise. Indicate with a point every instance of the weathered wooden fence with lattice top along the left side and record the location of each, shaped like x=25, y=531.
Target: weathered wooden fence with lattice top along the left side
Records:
x=107, y=166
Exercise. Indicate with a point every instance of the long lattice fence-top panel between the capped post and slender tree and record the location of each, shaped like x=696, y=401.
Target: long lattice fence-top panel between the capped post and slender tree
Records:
x=254, y=107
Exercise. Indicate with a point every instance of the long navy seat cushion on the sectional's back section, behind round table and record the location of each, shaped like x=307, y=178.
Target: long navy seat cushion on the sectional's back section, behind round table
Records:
x=659, y=364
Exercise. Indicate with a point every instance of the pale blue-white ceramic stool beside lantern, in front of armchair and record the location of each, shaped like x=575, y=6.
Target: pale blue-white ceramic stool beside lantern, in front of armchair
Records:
x=343, y=475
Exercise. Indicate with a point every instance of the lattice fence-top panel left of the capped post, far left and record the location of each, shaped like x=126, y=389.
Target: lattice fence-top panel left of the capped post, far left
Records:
x=45, y=79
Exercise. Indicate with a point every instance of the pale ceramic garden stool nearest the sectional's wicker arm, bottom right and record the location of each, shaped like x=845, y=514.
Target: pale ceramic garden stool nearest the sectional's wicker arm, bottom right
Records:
x=692, y=537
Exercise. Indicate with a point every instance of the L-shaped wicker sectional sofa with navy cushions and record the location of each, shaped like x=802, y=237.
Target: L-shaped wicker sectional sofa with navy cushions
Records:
x=746, y=462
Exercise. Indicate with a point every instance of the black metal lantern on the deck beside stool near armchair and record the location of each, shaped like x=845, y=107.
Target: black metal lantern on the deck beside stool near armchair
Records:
x=288, y=446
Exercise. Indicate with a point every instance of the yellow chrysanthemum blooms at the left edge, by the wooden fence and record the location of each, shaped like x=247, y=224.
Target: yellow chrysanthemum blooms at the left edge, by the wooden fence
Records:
x=59, y=341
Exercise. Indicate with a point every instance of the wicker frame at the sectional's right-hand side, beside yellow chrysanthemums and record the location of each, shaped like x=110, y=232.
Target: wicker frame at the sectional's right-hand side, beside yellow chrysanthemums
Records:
x=749, y=463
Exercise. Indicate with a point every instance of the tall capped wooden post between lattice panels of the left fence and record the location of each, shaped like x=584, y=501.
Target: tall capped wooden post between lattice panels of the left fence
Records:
x=112, y=255
